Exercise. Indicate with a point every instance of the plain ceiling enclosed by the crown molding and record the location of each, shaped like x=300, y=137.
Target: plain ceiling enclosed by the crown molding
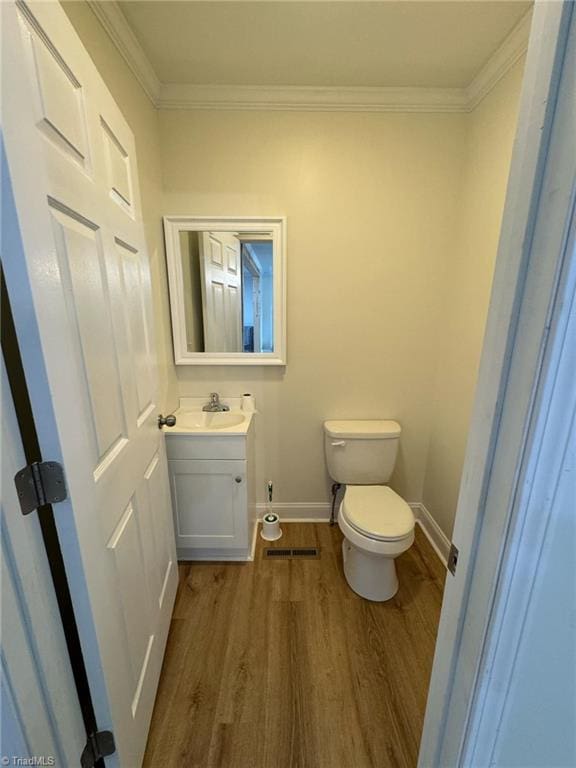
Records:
x=398, y=43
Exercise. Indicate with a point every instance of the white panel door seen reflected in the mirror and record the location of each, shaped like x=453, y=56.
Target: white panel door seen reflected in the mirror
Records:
x=220, y=266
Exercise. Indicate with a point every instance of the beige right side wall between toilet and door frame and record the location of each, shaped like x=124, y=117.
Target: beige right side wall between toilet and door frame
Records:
x=489, y=137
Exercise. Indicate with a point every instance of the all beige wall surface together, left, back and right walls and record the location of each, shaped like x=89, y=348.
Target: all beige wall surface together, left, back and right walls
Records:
x=393, y=224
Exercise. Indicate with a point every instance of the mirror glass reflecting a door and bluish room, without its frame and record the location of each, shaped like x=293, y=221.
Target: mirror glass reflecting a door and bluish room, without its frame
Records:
x=228, y=291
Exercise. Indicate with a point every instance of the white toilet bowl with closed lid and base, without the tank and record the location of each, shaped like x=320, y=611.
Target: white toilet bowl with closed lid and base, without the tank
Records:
x=378, y=526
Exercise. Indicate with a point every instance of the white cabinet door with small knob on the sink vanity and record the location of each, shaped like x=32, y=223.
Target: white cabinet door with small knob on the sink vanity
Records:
x=210, y=503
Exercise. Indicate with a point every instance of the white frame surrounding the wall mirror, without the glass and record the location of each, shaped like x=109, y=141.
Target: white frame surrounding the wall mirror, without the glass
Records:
x=173, y=225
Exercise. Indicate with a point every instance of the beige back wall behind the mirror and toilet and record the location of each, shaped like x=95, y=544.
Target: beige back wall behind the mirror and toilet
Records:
x=370, y=202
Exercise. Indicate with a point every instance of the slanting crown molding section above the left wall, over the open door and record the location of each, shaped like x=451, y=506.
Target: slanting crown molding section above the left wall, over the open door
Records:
x=109, y=14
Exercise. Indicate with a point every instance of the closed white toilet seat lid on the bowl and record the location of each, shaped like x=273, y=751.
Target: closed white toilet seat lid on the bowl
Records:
x=378, y=513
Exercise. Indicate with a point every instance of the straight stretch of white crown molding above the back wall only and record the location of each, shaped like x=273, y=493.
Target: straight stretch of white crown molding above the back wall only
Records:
x=310, y=98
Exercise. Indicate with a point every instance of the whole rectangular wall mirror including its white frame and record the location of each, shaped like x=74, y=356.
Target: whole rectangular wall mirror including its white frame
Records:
x=227, y=289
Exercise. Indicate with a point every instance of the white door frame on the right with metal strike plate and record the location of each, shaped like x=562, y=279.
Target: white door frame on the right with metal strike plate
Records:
x=528, y=309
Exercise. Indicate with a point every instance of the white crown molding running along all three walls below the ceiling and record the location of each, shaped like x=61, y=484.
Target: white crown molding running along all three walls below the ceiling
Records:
x=307, y=98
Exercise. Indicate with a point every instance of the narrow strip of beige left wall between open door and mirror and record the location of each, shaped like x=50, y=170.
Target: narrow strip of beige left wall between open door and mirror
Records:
x=143, y=120
